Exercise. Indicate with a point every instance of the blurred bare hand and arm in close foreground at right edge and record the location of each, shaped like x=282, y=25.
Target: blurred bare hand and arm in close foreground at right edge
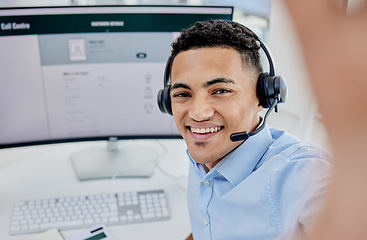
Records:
x=334, y=48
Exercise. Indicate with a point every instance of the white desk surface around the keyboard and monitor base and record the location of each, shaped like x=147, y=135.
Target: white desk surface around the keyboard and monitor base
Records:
x=46, y=171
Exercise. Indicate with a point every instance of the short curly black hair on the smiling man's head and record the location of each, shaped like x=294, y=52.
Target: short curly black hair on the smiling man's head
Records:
x=221, y=33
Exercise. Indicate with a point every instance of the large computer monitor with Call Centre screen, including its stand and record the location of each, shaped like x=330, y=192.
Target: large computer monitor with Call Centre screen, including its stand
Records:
x=87, y=73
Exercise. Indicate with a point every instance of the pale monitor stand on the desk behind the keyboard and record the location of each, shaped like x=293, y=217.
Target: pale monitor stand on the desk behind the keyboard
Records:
x=129, y=160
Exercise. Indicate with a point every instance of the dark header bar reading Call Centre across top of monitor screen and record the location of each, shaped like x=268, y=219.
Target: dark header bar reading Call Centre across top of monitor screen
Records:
x=86, y=19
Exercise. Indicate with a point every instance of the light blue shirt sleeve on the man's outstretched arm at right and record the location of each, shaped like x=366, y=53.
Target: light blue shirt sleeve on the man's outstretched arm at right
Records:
x=299, y=186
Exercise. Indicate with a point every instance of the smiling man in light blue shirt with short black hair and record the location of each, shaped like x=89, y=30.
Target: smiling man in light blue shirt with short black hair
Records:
x=267, y=187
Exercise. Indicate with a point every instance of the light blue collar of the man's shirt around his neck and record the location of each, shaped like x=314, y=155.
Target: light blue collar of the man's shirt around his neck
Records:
x=241, y=162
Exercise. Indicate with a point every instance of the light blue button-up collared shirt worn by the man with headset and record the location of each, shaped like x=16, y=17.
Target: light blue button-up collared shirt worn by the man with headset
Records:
x=270, y=187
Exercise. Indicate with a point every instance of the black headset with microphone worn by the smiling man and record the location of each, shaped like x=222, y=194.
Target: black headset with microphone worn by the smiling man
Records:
x=271, y=89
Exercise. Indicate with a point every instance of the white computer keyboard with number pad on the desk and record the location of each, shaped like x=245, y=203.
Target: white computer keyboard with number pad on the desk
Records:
x=85, y=211
